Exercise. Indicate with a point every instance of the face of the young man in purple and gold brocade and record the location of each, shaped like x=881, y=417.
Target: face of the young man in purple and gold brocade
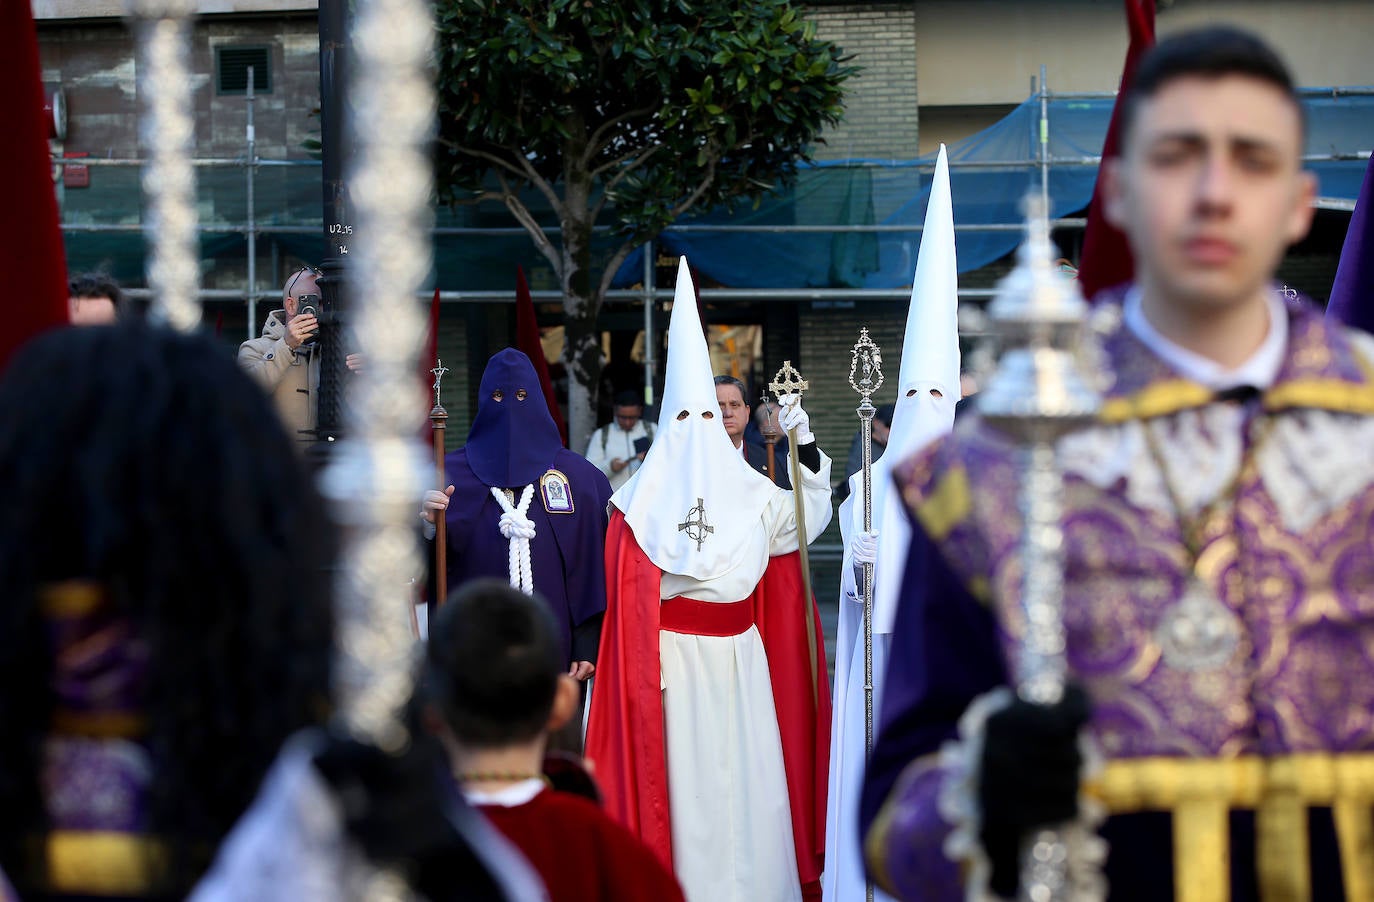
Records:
x=1210, y=190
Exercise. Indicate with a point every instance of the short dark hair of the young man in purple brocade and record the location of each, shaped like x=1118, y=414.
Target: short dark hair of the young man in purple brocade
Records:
x=1207, y=53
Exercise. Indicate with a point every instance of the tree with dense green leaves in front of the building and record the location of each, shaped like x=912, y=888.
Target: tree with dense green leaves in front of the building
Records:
x=624, y=113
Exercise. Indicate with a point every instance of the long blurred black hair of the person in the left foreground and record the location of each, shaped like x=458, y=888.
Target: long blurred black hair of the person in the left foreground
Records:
x=145, y=461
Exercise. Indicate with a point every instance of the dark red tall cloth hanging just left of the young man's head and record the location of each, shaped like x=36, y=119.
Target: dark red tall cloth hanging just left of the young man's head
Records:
x=1107, y=258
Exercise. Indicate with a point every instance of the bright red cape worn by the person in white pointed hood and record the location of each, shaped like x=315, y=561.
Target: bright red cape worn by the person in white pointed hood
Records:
x=626, y=727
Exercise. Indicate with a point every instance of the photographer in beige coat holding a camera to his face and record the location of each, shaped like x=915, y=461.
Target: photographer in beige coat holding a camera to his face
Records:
x=286, y=358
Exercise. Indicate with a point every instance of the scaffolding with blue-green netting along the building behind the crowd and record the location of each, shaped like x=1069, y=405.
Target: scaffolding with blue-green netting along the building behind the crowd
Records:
x=251, y=201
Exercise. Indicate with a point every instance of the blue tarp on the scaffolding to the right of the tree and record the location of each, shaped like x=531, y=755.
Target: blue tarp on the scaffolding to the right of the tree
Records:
x=897, y=193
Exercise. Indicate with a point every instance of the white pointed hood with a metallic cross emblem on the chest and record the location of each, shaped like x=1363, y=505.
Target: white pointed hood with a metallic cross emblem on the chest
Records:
x=695, y=497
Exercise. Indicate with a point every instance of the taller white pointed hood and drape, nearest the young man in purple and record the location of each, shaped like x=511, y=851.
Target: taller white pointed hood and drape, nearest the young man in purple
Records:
x=930, y=365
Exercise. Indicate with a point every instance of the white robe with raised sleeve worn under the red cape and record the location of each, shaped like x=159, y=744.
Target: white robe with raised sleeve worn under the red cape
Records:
x=732, y=819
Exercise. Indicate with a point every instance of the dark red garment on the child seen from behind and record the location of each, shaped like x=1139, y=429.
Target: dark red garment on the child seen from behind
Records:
x=581, y=853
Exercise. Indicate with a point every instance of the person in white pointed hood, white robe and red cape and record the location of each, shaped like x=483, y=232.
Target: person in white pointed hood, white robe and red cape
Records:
x=708, y=720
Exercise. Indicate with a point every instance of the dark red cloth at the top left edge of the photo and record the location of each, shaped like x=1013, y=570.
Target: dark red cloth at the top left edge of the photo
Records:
x=31, y=237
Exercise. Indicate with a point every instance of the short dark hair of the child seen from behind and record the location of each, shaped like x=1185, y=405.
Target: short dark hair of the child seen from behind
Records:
x=493, y=665
